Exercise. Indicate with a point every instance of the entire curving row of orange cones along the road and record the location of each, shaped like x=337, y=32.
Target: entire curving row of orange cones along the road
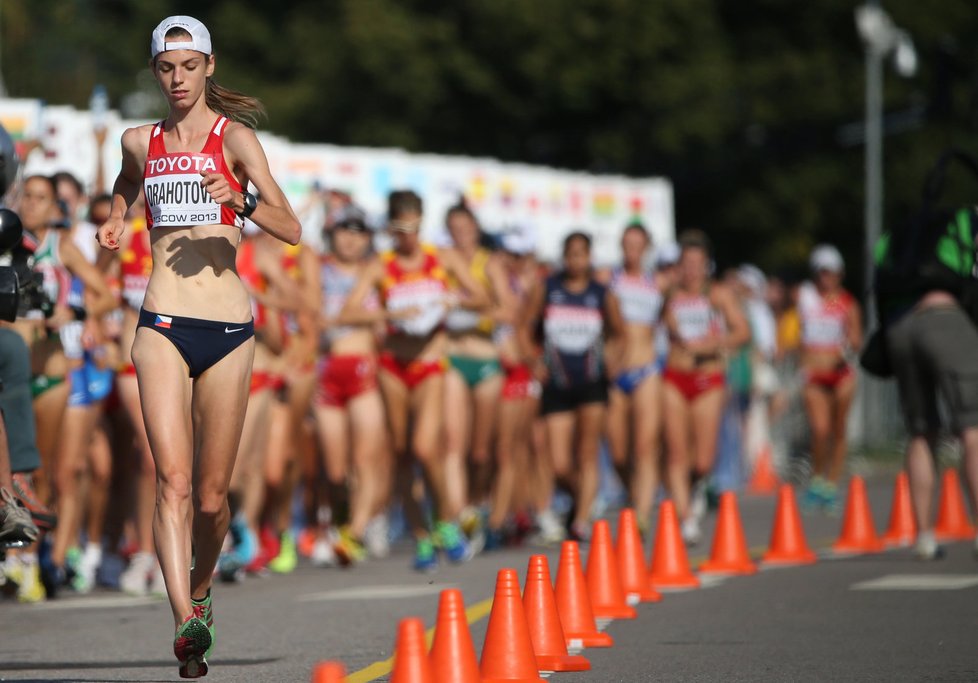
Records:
x=533, y=633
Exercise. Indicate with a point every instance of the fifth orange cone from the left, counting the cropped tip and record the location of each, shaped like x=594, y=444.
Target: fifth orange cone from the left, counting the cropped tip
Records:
x=546, y=632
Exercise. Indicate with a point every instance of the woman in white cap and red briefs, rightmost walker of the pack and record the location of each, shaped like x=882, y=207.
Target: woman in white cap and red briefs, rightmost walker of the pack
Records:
x=830, y=331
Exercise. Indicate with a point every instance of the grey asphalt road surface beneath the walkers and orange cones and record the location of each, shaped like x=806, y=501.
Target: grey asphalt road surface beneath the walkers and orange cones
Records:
x=878, y=617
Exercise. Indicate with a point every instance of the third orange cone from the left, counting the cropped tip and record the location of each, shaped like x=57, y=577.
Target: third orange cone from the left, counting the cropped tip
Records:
x=452, y=654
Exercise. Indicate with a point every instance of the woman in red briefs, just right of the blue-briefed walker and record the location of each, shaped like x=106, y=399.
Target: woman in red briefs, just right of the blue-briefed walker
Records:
x=705, y=323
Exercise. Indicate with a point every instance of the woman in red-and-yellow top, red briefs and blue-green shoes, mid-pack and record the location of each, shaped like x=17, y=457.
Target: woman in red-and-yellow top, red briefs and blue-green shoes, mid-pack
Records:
x=412, y=282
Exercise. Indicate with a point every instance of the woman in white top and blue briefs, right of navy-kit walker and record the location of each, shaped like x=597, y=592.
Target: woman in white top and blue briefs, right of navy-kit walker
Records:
x=635, y=406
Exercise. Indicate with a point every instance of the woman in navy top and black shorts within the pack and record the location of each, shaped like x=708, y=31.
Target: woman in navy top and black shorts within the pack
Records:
x=582, y=327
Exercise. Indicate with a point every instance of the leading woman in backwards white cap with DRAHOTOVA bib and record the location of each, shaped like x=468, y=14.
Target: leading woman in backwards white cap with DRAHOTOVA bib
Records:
x=194, y=344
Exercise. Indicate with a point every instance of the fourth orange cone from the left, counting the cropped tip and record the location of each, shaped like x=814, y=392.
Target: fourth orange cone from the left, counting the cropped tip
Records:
x=507, y=654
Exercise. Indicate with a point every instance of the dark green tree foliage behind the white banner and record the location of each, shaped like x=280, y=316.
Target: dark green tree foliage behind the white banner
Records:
x=742, y=104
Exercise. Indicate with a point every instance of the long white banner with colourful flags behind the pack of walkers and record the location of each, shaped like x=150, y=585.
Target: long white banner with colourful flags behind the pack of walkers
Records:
x=548, y=202
